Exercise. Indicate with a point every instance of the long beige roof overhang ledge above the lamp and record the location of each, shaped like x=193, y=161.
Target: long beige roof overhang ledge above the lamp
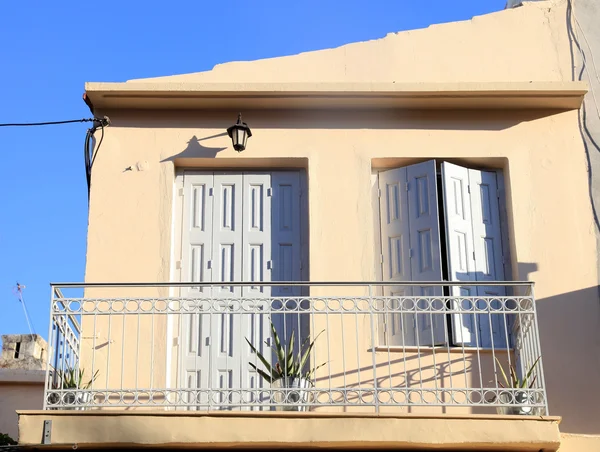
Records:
x=488, y=95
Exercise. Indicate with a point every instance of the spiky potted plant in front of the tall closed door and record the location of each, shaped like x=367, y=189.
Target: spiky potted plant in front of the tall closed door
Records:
x=289, y=373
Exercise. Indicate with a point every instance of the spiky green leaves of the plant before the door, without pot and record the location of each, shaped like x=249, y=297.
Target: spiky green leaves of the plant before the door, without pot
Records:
x=288, y=365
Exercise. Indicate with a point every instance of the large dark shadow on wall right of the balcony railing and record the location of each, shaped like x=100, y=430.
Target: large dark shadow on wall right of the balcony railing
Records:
x=569, y=325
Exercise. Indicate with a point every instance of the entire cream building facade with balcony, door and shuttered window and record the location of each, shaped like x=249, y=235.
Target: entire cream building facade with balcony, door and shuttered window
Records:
x=396, y=199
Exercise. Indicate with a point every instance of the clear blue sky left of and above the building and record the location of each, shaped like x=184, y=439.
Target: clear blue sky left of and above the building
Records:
x=50, y=49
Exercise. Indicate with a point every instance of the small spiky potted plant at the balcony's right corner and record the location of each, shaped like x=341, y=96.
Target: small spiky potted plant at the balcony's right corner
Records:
x=516, y=391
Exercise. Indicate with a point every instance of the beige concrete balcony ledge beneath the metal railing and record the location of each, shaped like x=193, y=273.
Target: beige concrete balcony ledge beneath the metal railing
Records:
x=135, y=429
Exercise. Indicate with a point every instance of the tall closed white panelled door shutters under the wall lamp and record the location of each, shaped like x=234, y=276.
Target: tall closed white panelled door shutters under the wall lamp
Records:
x=249, y=228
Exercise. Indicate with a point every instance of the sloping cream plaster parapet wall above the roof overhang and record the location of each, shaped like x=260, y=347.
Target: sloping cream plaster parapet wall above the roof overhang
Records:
x=521, y=44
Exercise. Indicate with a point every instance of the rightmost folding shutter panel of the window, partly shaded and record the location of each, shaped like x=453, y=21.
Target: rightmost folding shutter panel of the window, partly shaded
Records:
x=487, y=238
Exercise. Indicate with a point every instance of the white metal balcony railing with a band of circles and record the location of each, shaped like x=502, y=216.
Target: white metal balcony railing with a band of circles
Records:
x=187, y=346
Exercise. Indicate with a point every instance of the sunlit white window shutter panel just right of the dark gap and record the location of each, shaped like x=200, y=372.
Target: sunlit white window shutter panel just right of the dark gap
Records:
x=459, y=248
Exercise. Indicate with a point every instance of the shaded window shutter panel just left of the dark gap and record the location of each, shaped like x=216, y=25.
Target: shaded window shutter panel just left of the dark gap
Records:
x=425, y=247
